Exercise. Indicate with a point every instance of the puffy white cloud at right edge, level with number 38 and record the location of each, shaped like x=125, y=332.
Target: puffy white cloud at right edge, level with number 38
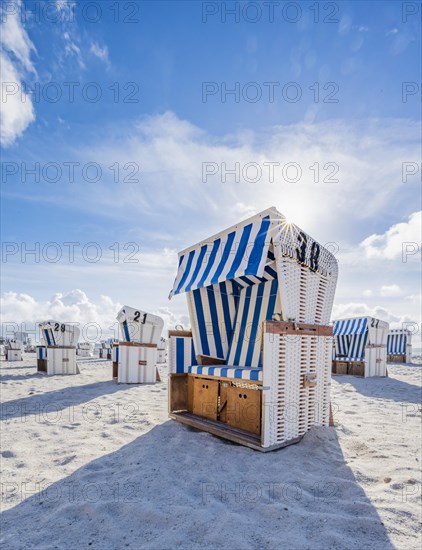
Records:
x=401, y=241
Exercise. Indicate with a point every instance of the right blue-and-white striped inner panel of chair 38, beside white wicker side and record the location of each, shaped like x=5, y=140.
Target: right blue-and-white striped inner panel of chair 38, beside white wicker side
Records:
x=257, y=303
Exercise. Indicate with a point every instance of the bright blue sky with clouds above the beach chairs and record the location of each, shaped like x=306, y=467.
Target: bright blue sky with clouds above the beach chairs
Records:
x=337, y=98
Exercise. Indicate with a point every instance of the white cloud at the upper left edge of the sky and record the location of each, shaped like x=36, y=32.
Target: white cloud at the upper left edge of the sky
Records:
x=15, y=63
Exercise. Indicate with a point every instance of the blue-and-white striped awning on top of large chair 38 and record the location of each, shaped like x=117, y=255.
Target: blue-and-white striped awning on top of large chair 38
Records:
x=239, y=252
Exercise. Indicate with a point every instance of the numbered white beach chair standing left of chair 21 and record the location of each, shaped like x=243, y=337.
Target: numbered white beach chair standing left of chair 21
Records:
x=60, y=341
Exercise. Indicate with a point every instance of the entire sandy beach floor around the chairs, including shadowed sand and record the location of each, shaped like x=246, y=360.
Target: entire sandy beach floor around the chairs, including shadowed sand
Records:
x=88, y=463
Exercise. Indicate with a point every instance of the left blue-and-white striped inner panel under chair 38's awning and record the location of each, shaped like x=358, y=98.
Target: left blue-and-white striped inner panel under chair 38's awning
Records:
x=212, y=311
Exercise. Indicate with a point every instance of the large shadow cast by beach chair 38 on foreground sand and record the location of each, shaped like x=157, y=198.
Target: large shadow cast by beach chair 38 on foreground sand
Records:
x=174, y=487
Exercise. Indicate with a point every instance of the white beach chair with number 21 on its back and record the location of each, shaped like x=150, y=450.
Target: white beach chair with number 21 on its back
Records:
x=137, y=351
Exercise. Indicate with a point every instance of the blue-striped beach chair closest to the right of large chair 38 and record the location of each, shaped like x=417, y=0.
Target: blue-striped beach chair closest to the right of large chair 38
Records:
x=360, y=346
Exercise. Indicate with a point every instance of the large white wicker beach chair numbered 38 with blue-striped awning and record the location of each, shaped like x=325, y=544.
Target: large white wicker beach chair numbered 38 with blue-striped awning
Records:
x=256, y=366
